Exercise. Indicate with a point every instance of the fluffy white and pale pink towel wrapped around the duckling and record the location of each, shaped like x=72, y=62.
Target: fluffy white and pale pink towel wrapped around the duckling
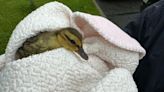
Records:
x=113, y=56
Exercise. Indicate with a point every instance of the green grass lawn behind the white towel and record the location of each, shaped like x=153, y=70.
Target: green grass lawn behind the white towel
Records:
x=12, y=11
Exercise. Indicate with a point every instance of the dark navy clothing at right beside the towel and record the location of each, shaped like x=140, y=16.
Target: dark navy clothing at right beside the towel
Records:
x=148, y=29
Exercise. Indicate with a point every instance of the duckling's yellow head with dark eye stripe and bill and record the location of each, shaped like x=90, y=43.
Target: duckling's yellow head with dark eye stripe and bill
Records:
x=71, y=39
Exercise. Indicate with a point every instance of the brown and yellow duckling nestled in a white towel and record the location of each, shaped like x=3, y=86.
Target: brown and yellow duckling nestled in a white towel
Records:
x=68, y=38
